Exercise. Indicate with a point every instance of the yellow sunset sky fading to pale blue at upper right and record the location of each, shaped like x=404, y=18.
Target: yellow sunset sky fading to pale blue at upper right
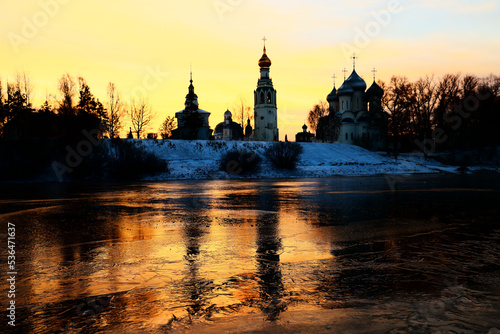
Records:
x=308, y=41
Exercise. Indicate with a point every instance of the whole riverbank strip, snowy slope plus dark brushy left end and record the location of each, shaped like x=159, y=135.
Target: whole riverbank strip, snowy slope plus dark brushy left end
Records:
x=58, y=161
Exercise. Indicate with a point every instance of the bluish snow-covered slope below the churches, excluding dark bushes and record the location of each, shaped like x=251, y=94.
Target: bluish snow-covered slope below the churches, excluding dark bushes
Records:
x=199, y=160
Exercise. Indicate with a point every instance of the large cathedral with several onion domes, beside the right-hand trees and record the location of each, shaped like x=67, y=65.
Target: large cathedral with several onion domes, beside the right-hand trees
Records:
x=363, y=121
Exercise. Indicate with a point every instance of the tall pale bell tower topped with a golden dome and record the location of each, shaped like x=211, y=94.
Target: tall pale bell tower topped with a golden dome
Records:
x=265, y=108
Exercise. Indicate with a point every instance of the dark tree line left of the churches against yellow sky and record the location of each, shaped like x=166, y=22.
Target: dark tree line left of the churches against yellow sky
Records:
x=74, y=100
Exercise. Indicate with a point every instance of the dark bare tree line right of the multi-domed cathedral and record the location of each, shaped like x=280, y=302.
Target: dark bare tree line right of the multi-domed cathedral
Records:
x=453, y=112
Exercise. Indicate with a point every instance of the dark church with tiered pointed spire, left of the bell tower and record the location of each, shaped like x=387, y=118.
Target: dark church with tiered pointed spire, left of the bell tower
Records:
x=192, y=122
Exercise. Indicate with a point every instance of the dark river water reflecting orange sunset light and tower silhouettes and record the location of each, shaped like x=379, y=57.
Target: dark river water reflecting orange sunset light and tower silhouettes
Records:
x=415, y=254
